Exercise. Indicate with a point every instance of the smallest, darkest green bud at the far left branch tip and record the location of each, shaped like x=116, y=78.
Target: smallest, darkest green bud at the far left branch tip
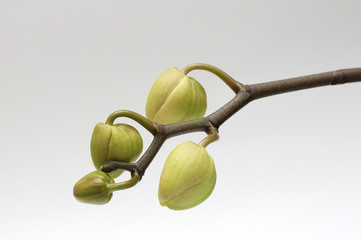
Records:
x=92, y=188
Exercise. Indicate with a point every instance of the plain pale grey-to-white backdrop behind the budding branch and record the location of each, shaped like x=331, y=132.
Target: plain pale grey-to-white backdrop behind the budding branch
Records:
x=288, y=166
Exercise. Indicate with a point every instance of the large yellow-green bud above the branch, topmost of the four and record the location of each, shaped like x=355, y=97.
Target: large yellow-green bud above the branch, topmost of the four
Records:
x=175, y=97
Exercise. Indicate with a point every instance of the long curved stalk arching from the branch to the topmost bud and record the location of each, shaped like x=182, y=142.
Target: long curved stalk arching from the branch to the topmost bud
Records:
x=233, y=84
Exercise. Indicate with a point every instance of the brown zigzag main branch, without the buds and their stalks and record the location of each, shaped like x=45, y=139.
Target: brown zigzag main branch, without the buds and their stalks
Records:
x=242, y=98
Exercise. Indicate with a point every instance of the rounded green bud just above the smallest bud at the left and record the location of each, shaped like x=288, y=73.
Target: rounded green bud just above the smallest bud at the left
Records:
x=119, y=142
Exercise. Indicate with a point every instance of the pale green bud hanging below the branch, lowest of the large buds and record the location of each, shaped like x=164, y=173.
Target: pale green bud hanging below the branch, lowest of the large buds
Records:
x=188, y=177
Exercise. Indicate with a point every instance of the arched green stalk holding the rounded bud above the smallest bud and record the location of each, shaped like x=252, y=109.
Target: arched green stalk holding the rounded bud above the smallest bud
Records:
x=145, y=122
